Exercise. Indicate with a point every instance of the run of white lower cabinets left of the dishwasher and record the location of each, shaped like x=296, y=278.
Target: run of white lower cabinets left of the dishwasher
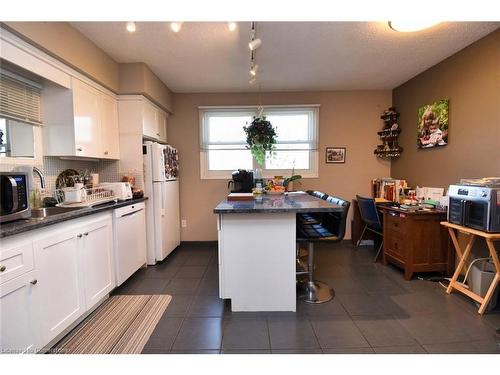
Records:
x=73, y=271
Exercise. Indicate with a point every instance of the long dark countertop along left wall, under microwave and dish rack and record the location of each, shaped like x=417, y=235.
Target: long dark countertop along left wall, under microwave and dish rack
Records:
x=21, y=226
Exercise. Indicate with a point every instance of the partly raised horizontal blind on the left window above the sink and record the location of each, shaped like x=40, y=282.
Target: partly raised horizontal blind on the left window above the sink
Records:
x=20, y=99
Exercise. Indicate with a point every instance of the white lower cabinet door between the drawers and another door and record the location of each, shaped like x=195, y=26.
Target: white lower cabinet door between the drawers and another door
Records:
x=60, y=284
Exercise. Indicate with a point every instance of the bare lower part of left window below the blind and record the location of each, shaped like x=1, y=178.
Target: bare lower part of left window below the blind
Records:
x=16, y=139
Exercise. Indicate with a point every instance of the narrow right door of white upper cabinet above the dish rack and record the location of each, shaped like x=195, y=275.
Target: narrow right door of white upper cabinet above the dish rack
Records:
x=110, y=140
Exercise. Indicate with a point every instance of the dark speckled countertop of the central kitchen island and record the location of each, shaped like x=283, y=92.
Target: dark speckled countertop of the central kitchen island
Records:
x=288, y=203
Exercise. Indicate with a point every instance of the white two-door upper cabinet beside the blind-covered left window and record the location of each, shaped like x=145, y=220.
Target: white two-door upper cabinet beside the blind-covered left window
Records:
x=80, y=122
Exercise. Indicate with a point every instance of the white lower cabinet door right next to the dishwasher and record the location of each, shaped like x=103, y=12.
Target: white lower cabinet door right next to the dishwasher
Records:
x=97, y=261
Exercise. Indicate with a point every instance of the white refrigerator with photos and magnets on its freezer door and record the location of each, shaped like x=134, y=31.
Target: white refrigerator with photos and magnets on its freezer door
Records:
x=161, y=186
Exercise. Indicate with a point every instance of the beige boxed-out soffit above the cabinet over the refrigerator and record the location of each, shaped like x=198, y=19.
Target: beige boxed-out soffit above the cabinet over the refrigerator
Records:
x=137, y=78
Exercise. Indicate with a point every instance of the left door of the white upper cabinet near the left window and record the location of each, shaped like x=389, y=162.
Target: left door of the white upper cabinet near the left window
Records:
x=87, y=122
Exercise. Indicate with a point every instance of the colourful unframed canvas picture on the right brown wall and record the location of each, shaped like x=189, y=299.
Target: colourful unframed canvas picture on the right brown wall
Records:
x=432, y=125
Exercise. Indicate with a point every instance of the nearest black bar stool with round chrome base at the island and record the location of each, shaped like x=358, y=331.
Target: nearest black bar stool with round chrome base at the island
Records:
x=331, y=229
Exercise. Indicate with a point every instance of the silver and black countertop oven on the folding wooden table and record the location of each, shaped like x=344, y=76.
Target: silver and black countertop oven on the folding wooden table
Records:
x=475, y=203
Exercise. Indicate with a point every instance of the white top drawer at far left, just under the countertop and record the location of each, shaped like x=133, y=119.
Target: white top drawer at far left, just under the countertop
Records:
x=15, y=260
